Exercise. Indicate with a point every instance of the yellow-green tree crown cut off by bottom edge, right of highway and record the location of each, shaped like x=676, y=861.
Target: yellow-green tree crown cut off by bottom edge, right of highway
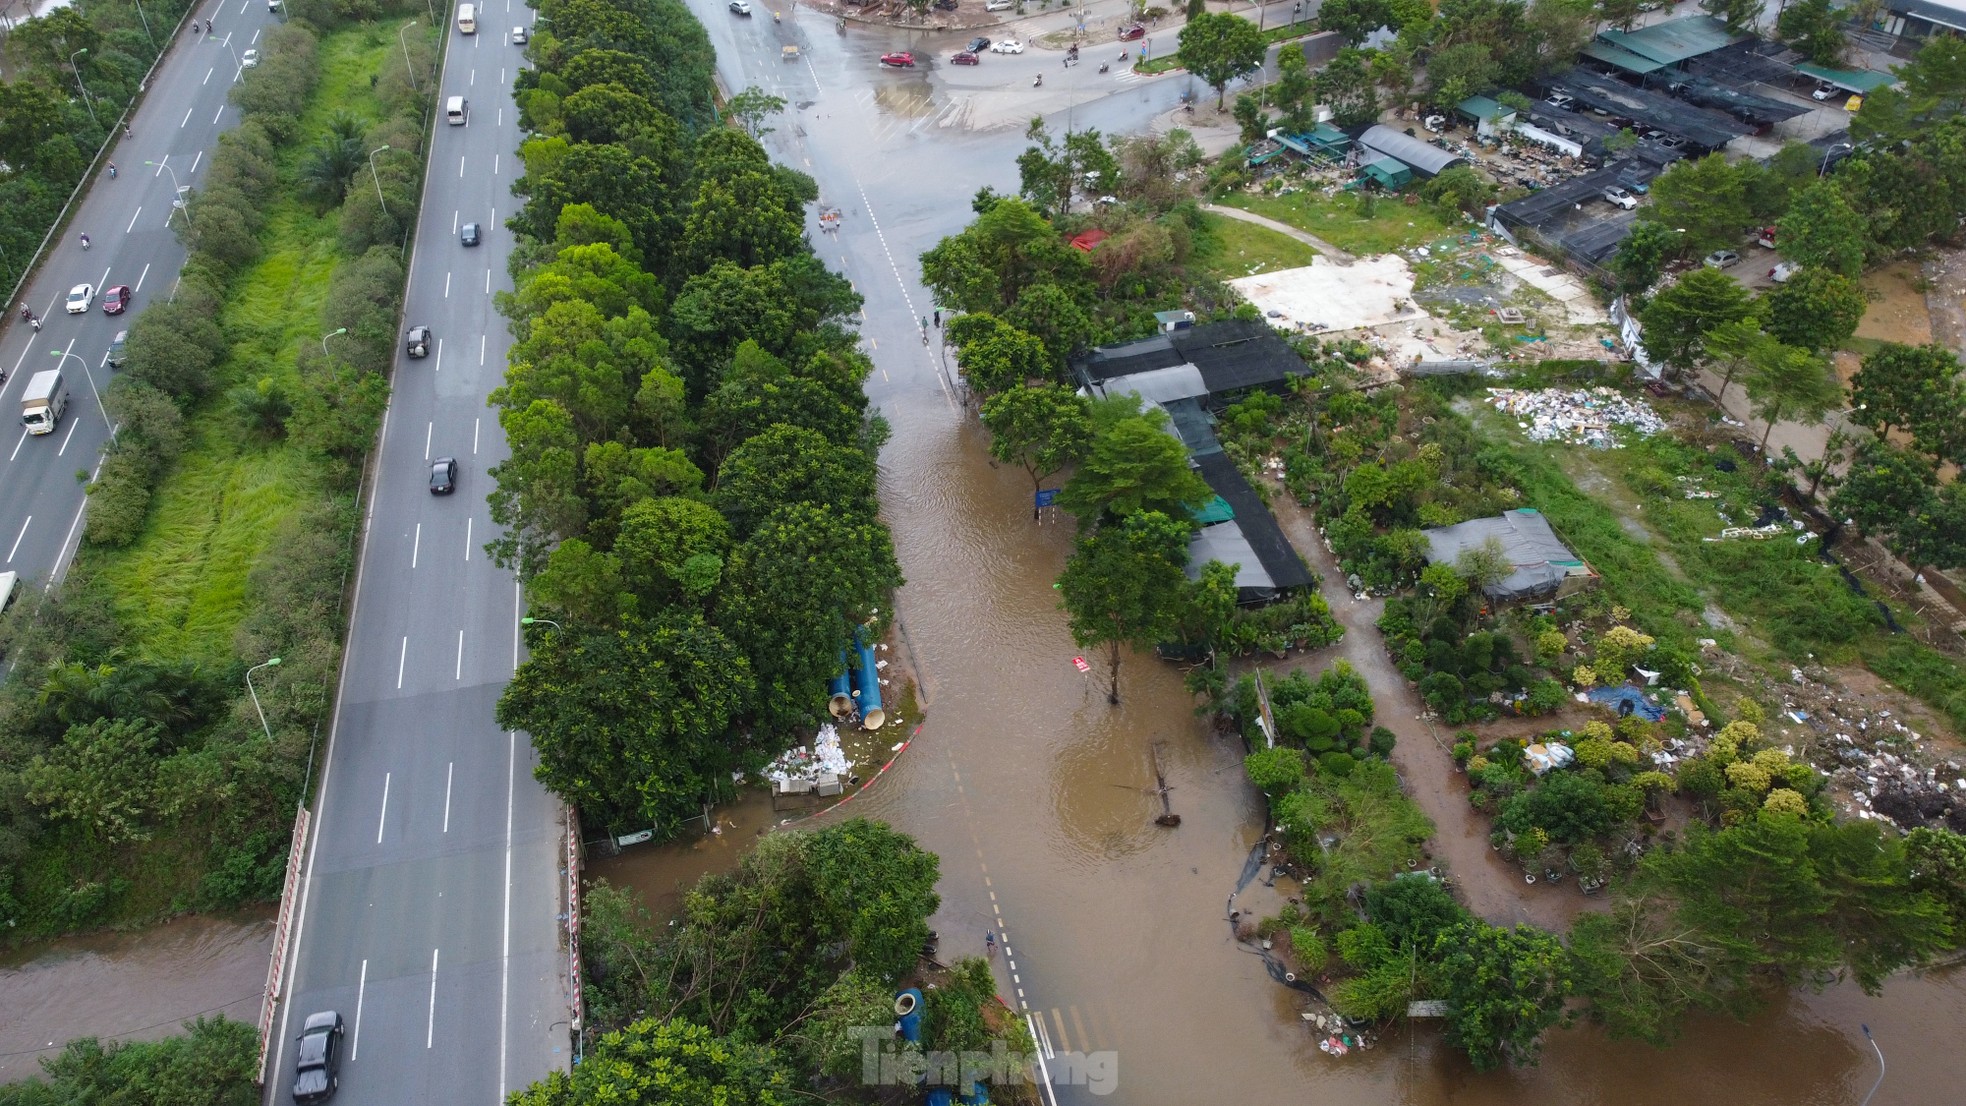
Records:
x=665, y=1064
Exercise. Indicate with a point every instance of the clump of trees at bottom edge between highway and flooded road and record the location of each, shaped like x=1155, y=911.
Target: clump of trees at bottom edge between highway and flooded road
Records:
x=754, y=995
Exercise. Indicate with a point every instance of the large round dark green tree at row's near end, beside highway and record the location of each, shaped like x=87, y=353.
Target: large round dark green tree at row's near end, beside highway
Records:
x=636, y=726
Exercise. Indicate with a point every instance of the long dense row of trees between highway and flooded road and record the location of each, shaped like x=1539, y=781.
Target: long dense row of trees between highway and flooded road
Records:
x=691, y=488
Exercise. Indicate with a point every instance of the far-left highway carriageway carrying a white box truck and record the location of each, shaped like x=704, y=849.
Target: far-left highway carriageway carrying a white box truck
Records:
x=131, y=225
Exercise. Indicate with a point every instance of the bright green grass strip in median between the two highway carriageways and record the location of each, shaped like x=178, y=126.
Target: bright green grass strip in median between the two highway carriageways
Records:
x=182, y=586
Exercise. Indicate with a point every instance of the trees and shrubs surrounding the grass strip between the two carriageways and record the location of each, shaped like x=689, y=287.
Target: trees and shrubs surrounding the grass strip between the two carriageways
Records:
x=111, y=749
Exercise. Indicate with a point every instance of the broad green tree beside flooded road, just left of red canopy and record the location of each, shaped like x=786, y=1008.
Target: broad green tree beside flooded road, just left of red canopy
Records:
x=996, y=258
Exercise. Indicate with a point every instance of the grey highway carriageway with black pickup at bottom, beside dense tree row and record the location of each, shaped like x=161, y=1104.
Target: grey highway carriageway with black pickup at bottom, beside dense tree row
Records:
x=430, y=911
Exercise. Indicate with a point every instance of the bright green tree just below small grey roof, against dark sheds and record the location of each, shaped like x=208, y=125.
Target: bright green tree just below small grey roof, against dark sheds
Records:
x=1135, y=465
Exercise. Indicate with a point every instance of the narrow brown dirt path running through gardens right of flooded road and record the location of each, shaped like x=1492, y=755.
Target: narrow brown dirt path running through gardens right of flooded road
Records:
x=1489, y=885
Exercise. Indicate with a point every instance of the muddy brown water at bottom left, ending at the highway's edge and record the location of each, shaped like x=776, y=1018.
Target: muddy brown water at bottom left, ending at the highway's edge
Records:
x=131, y=987
